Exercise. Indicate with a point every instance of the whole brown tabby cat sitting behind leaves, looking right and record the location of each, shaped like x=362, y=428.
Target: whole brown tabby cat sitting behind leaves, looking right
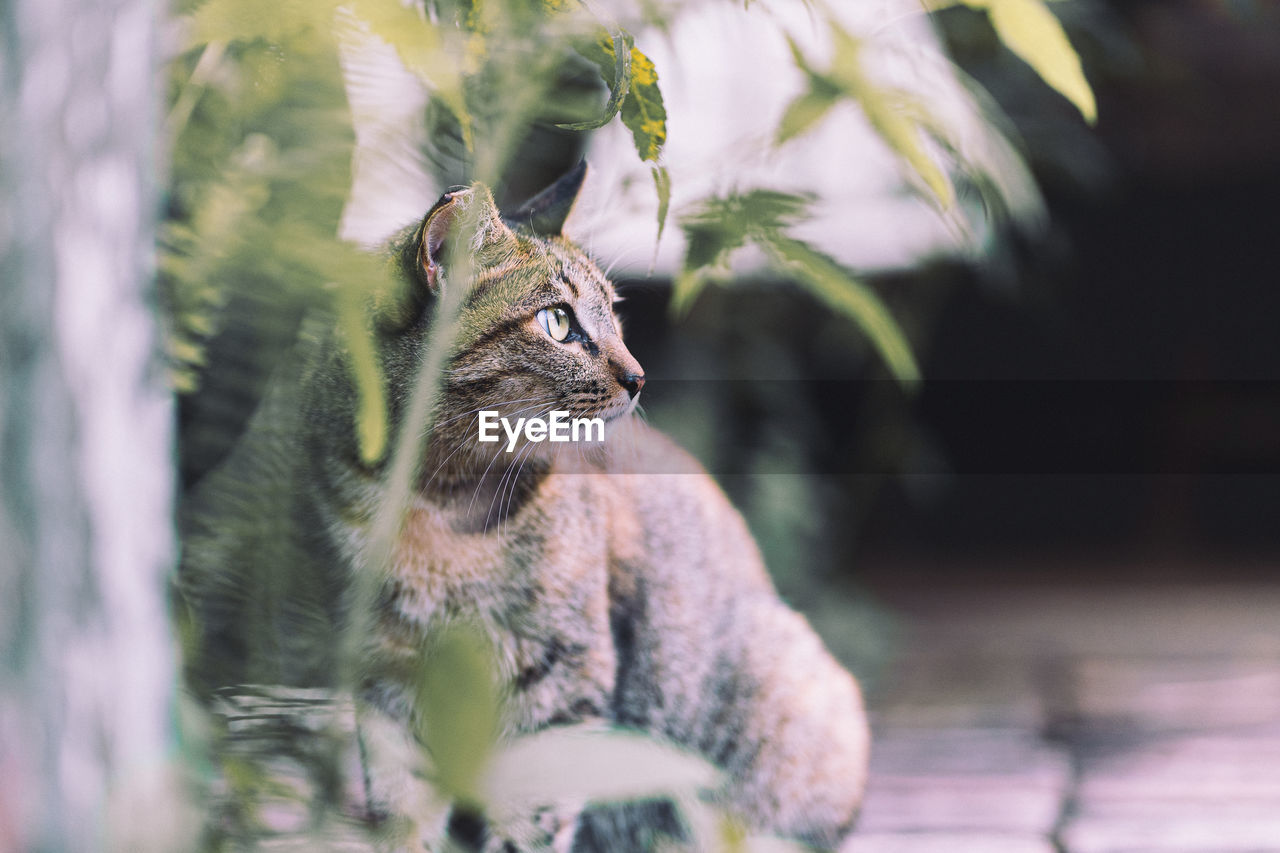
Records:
x=616, y=585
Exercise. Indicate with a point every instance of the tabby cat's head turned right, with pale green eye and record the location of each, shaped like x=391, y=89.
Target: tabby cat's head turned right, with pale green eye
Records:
x=536, y=331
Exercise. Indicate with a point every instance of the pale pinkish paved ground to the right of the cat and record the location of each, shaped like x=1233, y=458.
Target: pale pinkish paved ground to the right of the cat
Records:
x=1075, y=719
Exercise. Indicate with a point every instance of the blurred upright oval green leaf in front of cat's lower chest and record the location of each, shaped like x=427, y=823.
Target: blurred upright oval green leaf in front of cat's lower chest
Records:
x=459, y=711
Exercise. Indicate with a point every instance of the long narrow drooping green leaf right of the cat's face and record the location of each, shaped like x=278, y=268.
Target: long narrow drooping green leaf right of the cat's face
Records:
x=826, y=280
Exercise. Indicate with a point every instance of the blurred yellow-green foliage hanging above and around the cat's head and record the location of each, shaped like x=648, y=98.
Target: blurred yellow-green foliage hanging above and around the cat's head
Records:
x=263, y=143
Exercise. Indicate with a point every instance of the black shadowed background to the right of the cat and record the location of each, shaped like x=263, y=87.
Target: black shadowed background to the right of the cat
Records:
x=1107, y=391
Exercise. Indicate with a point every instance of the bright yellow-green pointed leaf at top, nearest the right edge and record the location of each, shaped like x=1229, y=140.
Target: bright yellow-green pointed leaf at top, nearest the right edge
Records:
x=1037, y=38
